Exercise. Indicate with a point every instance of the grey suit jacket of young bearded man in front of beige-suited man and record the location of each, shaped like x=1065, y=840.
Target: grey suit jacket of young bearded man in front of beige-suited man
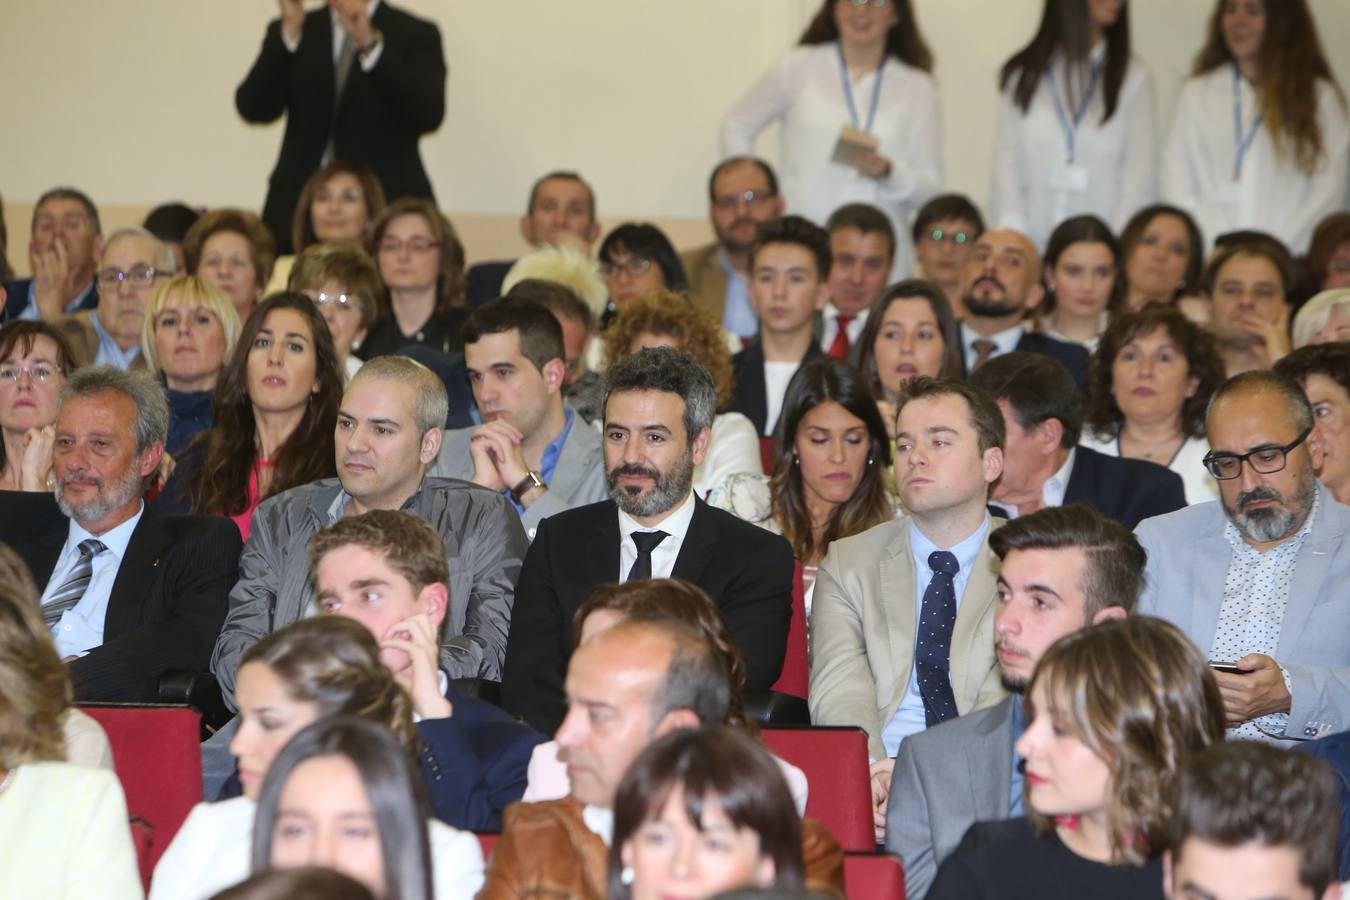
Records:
x=946, y=781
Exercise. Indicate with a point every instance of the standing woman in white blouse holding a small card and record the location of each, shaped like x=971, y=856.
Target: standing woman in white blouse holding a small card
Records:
x=858, y=113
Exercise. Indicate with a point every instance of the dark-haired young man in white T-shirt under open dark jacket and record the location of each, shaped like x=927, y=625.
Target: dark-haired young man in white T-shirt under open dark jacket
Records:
x=790, y=265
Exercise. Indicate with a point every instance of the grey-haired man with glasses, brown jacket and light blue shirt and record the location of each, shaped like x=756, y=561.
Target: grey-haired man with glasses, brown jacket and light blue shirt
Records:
x=110, y=335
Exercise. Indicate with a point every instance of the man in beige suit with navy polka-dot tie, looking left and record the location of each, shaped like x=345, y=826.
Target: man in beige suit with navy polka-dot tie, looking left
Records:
x=902, y=624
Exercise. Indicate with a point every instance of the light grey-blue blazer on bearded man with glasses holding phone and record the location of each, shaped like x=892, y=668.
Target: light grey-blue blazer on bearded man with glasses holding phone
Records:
x=1189, y=562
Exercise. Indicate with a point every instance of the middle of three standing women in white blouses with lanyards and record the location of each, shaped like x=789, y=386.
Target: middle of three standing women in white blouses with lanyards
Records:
x=1075, y=128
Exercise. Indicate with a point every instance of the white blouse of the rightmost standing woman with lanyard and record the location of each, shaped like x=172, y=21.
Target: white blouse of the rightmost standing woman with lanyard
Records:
x=1271, y=194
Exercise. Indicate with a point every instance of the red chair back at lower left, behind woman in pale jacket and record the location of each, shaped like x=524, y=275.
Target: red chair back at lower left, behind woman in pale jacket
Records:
x=157, y=755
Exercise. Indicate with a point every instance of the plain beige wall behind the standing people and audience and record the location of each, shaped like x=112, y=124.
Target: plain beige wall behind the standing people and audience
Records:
x=630, y=92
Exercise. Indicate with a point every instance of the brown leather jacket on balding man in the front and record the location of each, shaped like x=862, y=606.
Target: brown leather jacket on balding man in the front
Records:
x=546, y=851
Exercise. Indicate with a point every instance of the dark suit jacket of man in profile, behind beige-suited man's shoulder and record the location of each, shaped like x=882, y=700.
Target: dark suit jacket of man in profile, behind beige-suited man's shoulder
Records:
x=1128, y=490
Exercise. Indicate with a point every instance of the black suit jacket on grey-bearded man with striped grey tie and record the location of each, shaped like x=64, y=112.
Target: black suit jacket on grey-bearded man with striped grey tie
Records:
x=168, y=601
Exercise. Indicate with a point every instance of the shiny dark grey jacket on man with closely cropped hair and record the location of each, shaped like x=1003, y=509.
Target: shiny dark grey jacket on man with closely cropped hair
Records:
x=484, y=542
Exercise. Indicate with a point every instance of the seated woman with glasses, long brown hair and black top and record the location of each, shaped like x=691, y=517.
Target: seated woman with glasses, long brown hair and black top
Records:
x=422, y=265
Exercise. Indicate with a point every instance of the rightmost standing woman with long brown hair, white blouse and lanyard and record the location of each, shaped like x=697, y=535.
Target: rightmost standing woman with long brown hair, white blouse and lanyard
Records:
x=1260, y=138
